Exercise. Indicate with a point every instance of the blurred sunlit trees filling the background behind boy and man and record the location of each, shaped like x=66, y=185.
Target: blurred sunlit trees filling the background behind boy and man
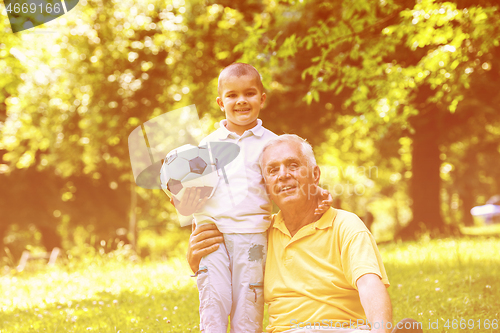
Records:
x=399, y=99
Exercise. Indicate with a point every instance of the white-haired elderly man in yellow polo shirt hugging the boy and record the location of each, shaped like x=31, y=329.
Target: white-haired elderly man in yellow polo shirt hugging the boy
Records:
x=323, y=273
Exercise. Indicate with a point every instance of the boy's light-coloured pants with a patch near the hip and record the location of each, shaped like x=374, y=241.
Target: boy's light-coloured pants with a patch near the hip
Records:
x=230, y=282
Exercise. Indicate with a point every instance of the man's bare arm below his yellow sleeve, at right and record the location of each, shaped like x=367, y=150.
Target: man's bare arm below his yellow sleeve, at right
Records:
x=376, y=302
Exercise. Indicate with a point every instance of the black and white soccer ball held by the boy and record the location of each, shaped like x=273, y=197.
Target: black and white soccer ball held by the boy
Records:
x=188, y=166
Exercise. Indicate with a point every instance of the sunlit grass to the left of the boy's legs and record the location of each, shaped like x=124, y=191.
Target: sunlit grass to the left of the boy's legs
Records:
x=101, y=294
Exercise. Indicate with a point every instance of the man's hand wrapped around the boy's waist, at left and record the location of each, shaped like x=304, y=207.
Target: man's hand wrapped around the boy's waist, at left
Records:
x=203, y=240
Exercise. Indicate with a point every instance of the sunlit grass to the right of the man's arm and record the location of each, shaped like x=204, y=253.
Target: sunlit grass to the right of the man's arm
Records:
x=446, y=281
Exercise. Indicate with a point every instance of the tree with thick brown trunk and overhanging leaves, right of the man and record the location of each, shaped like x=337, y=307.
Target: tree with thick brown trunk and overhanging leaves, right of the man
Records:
x=405, y=66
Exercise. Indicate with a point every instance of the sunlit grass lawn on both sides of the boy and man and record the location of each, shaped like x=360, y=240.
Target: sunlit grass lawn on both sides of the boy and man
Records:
x=438, y=281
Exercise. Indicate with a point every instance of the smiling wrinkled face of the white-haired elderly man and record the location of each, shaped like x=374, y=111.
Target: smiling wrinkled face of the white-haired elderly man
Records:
x=290, y=178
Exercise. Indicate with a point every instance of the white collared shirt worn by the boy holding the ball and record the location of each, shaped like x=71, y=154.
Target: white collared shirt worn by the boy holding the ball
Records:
x=242, y=206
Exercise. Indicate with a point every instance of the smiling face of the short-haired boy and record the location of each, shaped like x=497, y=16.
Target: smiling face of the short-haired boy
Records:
x=241, y=100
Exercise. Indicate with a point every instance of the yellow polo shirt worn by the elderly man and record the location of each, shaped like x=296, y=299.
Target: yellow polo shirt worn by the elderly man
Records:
x=311, y=277
